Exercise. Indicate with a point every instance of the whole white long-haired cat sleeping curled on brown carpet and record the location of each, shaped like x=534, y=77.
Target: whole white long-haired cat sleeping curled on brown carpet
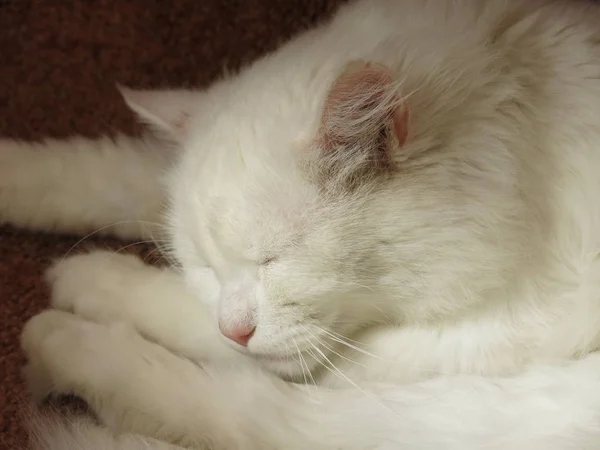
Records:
x=385, y=236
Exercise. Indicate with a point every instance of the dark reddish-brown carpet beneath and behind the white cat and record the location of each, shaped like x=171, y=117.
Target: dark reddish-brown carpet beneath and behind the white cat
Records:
x=59, y=61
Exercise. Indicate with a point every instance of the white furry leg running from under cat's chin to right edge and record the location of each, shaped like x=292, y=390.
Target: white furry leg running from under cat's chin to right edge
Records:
x=495, y=341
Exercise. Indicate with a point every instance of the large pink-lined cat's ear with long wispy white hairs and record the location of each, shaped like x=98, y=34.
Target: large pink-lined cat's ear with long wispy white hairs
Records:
x=365, y=121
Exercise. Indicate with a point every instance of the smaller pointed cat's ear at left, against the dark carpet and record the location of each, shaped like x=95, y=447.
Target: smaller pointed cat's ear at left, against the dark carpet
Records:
x=168, y=111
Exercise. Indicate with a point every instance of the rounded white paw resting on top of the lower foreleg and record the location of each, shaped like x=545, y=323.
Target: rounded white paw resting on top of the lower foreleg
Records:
x=95, y=285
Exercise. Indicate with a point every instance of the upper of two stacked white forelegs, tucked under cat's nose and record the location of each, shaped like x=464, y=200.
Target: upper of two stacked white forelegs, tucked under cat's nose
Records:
x=107, y=287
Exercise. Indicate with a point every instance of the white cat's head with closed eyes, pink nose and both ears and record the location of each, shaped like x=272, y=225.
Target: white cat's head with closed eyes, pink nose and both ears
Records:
x=310, y=234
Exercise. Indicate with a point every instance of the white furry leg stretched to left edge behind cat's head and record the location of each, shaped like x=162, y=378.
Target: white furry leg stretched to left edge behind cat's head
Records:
x=82, y=185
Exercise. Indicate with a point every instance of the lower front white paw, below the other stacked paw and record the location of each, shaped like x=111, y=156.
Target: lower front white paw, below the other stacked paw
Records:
x=67, y=354
